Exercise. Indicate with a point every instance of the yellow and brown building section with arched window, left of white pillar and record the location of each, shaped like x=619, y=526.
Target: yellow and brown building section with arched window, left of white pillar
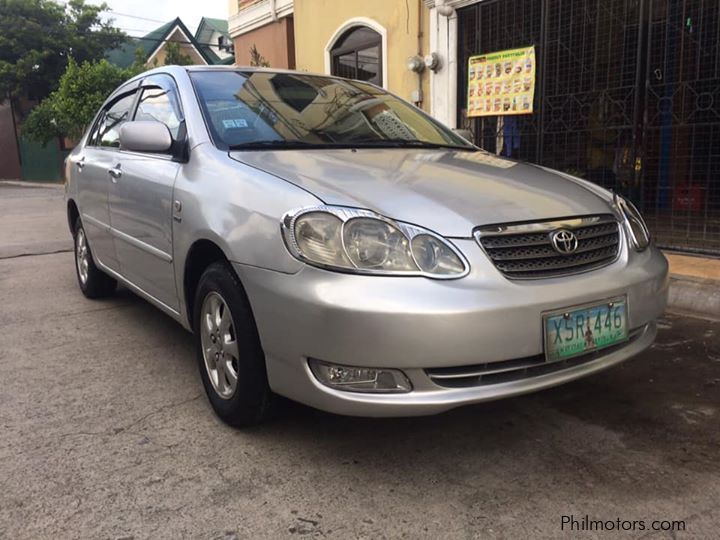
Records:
x=370, y=40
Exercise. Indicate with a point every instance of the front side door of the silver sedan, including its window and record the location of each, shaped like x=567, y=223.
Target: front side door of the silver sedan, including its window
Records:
x=141, y=198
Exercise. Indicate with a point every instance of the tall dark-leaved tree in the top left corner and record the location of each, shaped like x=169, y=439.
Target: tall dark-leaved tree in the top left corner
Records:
x=37, y=38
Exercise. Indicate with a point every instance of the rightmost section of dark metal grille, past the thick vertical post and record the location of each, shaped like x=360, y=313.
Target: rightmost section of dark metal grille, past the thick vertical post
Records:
x=681, y=130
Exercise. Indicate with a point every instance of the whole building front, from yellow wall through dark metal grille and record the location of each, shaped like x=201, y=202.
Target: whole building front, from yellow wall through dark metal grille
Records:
x=626, y=93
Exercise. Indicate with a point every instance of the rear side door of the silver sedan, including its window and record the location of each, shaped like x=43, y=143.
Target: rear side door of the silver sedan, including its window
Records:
x=91, y=168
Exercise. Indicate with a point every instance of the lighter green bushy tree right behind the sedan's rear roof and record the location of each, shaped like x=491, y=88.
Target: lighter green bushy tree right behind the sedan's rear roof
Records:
x=83, y=88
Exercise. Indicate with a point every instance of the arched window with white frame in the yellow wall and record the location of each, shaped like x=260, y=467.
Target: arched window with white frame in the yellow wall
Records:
x=357, y=54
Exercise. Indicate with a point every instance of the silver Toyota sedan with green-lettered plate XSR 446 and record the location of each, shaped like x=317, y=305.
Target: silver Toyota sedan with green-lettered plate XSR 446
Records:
x=326, y=241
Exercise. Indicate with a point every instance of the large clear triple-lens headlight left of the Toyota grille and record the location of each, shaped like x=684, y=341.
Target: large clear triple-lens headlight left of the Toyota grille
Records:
x=360, y=241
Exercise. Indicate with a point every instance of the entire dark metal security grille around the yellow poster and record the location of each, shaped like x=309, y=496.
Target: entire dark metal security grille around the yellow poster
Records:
x=627, y=96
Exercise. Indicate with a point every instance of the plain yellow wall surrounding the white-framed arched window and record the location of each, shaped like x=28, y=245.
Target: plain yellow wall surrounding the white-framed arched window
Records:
x=316, y=21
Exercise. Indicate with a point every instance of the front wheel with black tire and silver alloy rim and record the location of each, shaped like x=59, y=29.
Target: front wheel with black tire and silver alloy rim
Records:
x=228, y=349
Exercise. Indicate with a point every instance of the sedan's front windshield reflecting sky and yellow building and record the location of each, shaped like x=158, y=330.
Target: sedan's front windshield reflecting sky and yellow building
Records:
x=257, y=110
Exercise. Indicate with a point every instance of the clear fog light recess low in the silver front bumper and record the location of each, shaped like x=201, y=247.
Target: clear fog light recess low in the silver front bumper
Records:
x=360, y=379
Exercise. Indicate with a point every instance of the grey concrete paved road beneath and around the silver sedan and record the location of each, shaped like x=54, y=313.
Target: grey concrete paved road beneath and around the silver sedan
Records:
x=105, y=433
